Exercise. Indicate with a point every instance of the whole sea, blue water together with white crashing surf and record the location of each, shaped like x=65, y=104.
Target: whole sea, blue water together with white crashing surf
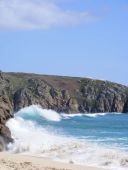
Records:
x=99, y=140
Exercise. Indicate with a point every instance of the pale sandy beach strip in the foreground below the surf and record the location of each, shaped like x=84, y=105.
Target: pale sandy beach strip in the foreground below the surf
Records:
x=20, y=162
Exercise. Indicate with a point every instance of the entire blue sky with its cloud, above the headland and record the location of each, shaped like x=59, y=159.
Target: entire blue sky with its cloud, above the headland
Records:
x=80, y=38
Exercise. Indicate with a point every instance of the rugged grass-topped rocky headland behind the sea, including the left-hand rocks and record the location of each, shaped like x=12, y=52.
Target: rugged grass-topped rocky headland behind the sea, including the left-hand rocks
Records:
x=63, y=94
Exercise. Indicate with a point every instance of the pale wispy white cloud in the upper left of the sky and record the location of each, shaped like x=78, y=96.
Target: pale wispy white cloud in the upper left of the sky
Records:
x=37, y=14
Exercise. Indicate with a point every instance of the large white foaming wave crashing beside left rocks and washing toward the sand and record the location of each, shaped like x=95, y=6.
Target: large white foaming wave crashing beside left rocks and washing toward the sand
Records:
x=34, y=139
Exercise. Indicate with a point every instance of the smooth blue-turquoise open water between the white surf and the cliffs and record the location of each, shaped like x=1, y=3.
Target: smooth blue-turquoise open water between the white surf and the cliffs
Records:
x=111, y=129
